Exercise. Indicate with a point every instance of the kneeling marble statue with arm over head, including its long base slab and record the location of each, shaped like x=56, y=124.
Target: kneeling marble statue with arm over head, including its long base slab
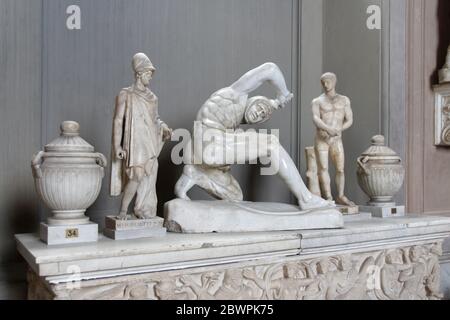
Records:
x=208, y=165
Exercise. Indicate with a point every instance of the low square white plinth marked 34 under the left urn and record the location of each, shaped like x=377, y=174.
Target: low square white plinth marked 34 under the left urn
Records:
x=69, y=234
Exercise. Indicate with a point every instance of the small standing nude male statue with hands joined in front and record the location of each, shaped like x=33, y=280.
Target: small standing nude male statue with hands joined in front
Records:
x=332, y=116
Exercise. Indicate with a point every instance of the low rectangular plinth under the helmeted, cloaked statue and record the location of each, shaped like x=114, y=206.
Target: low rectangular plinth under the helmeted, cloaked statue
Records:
x=133, y=228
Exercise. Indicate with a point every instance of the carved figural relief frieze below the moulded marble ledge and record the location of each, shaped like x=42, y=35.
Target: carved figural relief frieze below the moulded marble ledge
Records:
x=410, y=273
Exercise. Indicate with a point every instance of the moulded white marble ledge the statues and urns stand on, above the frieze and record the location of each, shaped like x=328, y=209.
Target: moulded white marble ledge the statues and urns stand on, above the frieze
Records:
x=108, y=258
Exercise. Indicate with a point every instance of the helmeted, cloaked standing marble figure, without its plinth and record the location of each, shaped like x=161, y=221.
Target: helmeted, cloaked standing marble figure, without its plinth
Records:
x=138, y=137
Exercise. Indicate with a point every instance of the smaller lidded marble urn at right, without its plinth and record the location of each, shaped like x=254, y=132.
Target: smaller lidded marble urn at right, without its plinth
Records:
x=380, y=173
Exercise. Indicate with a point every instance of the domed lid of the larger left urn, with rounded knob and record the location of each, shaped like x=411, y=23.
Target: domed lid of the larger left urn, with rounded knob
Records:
x=69, y=140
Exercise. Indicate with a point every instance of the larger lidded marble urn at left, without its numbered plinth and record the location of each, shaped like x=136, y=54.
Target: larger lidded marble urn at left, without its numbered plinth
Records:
x=68, y=176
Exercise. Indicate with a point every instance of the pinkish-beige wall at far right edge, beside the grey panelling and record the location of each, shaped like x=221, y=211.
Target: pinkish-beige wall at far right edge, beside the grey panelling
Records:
x=428, y=178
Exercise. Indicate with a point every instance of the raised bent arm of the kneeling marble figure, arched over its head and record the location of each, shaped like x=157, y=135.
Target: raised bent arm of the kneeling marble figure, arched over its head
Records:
x=268, y=72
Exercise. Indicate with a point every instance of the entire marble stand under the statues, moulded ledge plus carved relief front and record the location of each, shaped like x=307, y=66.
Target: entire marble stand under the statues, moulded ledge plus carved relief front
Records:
x=311, y=264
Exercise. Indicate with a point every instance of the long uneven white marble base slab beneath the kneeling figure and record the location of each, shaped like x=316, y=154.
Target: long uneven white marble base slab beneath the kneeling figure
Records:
x=223, y=216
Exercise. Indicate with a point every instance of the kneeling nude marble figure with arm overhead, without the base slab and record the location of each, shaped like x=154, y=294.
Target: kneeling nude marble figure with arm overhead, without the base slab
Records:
x=220, y=116
